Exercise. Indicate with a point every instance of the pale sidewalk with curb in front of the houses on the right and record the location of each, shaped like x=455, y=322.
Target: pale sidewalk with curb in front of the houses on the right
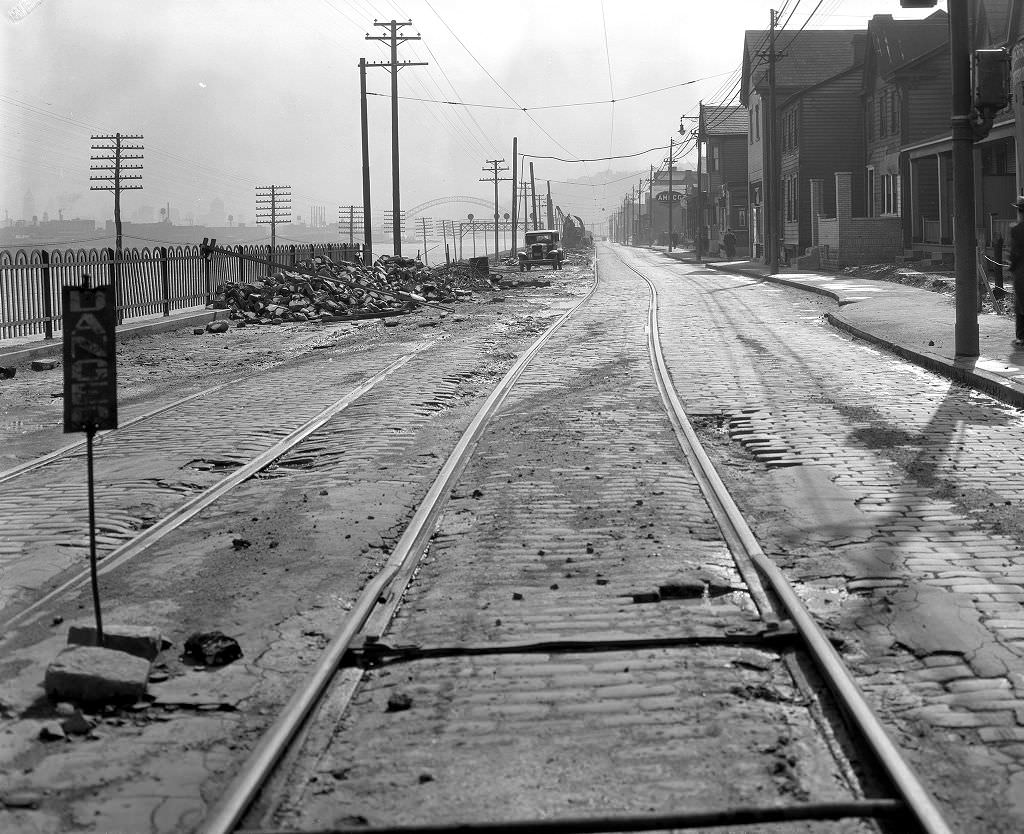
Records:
x=917, y=325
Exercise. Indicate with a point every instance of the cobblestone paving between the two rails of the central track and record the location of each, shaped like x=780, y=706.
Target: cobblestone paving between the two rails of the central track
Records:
x=576, y=510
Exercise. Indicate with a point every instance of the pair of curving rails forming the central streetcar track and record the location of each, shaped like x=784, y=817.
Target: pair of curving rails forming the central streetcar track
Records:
x=370, y=618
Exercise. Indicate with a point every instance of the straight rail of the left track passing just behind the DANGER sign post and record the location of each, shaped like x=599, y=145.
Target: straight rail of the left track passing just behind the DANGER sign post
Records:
x=192, y=508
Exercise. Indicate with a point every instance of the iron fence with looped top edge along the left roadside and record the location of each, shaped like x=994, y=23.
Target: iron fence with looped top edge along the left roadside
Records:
x=150, y=281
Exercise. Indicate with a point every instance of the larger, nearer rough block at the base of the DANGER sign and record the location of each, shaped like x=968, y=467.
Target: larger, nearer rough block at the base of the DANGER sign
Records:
x=87, y=675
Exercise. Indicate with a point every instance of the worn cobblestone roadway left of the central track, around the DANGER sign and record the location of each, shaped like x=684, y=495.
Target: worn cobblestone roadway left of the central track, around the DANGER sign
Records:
x=275, y=564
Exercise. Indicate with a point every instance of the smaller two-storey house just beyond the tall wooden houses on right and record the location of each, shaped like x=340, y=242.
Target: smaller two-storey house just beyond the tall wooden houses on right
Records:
x=726, y=201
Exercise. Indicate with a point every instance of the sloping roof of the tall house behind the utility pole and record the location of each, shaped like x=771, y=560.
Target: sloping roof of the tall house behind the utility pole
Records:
x=810, y=56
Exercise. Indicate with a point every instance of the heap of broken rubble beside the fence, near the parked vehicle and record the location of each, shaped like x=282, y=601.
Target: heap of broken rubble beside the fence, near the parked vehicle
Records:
x=319, y=290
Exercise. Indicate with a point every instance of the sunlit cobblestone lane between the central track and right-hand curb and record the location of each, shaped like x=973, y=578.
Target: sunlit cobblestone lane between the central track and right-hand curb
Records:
x=893, y=498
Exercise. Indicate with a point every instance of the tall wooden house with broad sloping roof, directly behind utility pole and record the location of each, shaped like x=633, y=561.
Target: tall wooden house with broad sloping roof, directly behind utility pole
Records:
x=814, y=69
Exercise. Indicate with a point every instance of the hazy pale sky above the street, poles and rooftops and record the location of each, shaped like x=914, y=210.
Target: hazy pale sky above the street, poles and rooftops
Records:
x=231, y=95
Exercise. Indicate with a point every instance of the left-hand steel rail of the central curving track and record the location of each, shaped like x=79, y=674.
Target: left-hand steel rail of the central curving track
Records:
x=243, y=790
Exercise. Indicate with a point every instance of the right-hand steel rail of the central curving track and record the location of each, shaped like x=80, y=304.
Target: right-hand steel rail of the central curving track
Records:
x=827, y=659
